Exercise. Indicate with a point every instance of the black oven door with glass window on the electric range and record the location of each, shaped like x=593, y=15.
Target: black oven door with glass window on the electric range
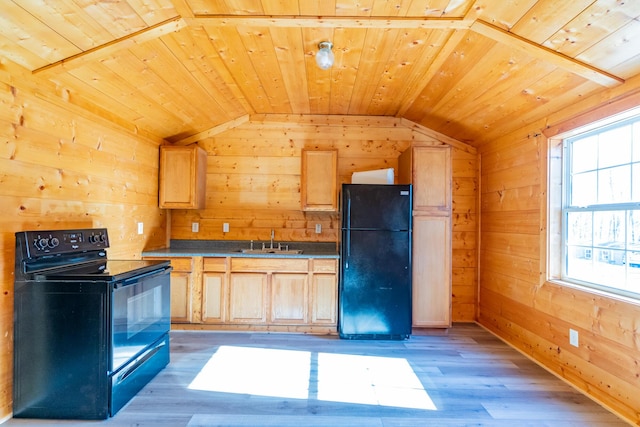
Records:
x=141, y=310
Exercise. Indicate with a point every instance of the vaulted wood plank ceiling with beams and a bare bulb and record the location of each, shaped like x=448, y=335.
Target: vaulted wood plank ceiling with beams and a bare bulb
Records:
x=471, y=69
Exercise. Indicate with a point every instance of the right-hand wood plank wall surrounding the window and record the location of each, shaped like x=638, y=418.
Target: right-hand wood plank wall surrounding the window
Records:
x=517, y=302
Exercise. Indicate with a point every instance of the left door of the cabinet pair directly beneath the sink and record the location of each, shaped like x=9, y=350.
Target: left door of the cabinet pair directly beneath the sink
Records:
x=247, y=297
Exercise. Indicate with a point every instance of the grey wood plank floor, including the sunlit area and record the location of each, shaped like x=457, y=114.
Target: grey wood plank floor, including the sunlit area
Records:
x=465, y=377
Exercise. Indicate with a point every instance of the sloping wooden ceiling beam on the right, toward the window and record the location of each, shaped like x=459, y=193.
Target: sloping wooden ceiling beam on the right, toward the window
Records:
x=544, y=53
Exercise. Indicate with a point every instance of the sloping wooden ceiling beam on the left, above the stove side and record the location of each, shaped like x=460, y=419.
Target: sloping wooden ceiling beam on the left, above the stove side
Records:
x=138, y=37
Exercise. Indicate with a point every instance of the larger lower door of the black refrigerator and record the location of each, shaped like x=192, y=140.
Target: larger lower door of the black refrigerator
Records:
x=375, y=285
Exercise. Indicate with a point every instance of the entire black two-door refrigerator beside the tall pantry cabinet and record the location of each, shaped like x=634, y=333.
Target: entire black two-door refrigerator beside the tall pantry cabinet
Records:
x=375, y=256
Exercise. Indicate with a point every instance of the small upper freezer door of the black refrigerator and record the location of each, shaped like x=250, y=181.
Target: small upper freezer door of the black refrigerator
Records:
x=376, y=207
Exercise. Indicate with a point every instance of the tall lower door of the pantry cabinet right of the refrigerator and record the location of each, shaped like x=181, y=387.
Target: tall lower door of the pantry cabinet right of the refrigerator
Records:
x=432, y=271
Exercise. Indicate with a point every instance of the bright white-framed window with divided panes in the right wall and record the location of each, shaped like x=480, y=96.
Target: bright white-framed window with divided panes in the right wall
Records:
x=600, y=224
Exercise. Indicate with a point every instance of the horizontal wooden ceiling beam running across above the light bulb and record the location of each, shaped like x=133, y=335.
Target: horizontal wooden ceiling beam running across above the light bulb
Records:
x=330, y=21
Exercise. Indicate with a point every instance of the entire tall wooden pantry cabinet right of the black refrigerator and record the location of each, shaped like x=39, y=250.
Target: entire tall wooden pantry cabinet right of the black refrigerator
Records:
x=428, y=168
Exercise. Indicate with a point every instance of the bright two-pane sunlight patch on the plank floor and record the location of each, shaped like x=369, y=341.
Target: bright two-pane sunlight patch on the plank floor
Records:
x=345, y=378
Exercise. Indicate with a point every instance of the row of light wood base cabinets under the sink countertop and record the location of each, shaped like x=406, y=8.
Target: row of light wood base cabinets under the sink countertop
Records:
x=247, y=292
